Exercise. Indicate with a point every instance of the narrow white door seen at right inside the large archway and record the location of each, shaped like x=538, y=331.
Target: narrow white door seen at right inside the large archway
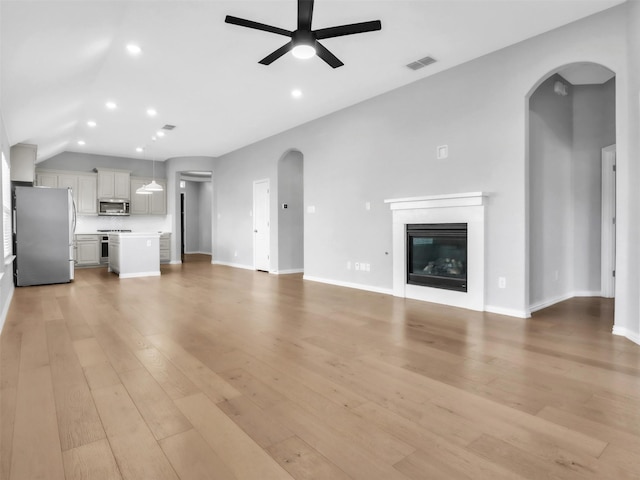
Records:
x=608, y=256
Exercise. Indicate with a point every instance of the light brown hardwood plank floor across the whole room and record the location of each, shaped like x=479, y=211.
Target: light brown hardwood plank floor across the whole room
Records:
x=210, y=372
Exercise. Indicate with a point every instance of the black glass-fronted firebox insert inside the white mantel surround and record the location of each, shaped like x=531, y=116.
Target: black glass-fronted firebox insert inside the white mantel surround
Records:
x=437, y=255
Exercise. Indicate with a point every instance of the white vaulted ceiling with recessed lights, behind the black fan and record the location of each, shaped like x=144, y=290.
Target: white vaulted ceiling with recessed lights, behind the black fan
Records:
x=62, y=60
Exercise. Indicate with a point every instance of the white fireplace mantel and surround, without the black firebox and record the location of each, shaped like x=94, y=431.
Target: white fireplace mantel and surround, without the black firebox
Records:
x=451, y=208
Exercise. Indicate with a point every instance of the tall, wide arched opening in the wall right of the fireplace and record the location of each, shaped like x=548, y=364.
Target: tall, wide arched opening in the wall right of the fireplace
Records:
x=571, y=120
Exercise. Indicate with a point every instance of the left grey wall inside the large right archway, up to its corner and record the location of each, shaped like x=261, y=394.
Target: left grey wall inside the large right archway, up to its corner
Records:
x=551, y=198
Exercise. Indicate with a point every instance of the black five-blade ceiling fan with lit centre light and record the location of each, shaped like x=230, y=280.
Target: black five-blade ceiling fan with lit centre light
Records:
x=304, y=41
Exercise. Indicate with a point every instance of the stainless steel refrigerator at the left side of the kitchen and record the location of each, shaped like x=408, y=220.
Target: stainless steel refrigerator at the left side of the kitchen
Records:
x=44, y=224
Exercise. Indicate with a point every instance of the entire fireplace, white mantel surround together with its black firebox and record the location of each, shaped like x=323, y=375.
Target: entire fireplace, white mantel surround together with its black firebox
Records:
x=463, y=275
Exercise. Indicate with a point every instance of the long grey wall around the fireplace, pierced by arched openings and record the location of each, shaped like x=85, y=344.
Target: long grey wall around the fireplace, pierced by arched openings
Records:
x=386, y=148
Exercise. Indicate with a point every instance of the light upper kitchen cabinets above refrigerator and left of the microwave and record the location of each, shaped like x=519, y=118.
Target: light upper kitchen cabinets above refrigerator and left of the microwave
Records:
x=83, y=188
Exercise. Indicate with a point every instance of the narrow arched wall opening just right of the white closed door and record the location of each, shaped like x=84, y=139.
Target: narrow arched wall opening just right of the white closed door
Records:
x=291, y=212
